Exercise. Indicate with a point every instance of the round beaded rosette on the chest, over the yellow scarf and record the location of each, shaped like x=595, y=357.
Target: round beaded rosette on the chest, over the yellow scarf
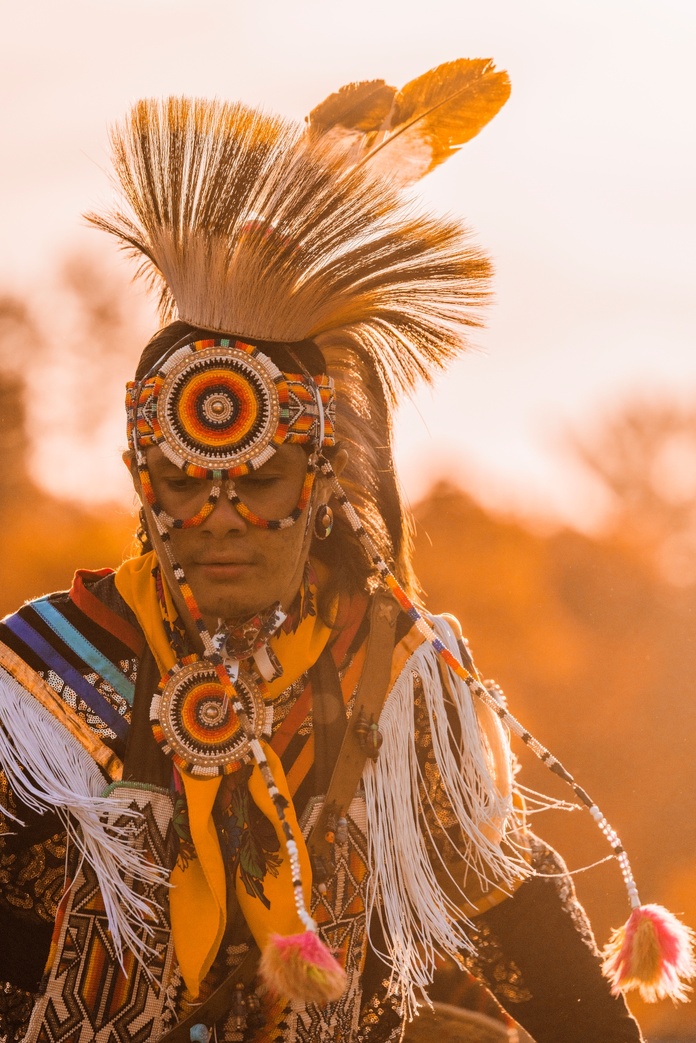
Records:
x=194, y=721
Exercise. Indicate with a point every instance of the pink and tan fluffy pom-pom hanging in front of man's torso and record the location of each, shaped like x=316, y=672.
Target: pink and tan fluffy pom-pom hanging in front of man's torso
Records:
x=302, y=968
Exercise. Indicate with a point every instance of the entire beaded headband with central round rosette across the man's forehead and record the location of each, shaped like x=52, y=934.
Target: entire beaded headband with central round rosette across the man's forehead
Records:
x=222, y=408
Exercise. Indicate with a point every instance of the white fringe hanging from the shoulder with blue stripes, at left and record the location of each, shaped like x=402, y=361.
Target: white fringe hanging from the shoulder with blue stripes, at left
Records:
x=49, y=770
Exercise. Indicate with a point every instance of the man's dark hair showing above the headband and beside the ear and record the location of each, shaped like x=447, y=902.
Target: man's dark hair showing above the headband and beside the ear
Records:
x=343, y=553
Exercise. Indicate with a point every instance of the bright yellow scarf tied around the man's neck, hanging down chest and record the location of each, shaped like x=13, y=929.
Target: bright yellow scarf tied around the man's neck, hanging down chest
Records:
x=199, y=895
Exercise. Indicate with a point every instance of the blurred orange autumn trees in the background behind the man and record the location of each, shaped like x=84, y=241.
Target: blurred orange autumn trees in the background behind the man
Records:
x=590, y=636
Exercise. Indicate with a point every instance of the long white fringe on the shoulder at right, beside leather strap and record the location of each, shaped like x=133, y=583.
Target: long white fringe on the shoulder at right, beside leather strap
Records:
x=420, y=921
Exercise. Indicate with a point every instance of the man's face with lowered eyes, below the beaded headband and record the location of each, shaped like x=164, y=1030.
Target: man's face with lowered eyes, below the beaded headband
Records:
x=236, y=569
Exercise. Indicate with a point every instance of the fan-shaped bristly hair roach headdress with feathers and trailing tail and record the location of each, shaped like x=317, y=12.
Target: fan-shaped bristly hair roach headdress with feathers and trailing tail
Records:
x=253, y=226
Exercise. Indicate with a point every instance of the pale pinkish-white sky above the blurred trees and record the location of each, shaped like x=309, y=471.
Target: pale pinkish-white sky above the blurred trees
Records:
x=583, y=190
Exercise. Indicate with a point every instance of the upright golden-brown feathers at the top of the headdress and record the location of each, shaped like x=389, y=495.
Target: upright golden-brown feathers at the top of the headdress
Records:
x=426, y=123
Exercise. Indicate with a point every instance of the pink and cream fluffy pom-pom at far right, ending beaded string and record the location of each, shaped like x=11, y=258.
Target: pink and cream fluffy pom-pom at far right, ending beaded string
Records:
x=653, y=953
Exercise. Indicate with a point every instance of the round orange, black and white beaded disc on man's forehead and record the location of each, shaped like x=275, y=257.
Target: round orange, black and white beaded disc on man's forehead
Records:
x=219, y=408
